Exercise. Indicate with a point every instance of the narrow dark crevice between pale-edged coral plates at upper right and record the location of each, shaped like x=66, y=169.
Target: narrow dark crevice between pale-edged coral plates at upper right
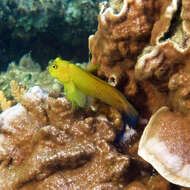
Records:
x=175, y=22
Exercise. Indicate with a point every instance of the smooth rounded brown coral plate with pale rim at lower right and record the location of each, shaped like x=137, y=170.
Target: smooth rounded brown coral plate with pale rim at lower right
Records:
x=165, y=144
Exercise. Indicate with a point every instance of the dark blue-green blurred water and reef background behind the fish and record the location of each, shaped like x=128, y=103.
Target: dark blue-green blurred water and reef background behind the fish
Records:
x=46, y=28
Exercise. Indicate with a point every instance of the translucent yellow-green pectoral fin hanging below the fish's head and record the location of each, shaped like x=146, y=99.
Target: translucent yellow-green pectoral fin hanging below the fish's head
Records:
x=73, y=94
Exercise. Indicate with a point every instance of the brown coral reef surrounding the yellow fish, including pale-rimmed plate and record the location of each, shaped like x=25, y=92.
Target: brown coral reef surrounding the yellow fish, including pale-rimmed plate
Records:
x=143, y=49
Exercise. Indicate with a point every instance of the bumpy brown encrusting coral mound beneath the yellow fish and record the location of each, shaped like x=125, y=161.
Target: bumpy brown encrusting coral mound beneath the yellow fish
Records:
x=51, y=146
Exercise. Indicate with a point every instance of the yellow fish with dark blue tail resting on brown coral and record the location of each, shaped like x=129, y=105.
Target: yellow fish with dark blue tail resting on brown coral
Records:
x=78, y=83
